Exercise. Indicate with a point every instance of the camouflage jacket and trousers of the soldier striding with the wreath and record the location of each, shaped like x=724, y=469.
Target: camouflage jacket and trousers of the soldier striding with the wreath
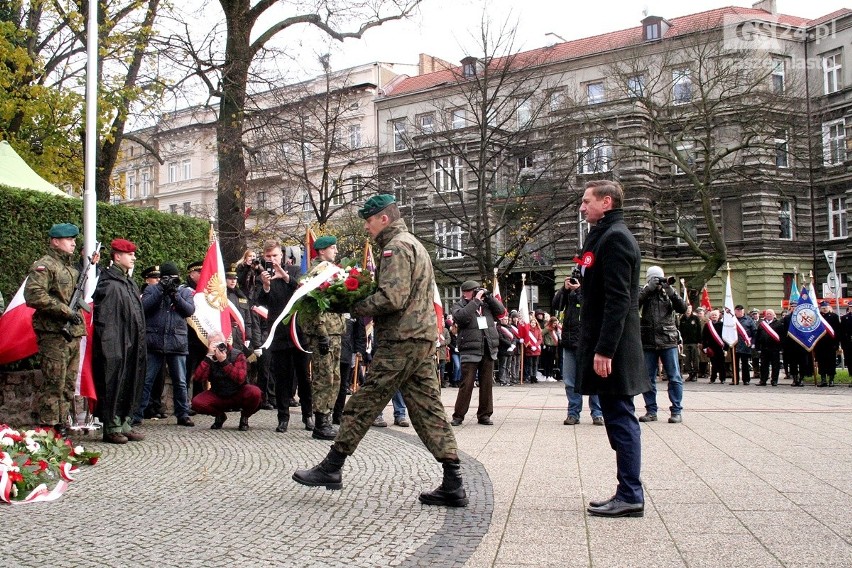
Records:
x=406, y=330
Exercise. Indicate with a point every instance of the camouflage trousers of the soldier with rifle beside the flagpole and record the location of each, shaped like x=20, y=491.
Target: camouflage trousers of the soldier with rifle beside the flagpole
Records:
x=60, y=360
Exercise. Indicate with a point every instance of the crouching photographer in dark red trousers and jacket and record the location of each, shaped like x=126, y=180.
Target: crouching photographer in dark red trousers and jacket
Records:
x=226, y=370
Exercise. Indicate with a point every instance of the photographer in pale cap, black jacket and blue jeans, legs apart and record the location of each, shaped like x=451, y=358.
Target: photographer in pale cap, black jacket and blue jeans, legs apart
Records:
x=658, y=303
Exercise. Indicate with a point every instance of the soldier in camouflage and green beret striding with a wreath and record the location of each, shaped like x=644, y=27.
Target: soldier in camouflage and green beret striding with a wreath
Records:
x=406, y=328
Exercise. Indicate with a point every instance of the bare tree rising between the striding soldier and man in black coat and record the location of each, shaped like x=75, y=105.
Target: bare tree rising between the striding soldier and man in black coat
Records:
x=496, y=184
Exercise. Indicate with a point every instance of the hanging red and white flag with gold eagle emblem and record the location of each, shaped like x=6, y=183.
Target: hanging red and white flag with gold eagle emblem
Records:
x=213, y=310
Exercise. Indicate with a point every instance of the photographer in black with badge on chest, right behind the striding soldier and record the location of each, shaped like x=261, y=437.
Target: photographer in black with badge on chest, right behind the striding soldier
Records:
x=478, y=343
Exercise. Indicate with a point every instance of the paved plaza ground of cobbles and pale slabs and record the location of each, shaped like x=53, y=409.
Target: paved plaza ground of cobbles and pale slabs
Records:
x=754, y=477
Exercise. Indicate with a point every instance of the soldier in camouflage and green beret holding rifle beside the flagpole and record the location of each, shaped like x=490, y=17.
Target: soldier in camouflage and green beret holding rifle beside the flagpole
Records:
x=49, y=288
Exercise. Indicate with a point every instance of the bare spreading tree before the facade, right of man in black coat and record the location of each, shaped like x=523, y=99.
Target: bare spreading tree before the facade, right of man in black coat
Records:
x=698, y=127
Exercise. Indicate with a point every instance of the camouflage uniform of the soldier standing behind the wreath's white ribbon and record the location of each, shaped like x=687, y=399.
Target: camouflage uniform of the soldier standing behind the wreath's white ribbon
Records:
x=325, y=369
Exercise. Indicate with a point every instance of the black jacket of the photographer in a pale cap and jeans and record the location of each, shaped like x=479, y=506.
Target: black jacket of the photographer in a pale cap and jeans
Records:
x=658, y=305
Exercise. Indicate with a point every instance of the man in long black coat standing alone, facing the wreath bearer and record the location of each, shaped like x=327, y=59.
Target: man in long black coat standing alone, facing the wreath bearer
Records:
x=609, y=354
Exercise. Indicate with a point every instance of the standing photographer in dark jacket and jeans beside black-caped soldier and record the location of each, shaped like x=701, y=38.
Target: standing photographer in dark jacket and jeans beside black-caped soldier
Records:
x=167, y=305
